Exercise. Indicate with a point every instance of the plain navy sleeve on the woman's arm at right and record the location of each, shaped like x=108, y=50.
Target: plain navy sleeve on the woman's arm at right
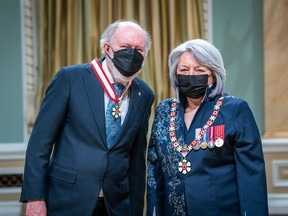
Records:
x=249, y=160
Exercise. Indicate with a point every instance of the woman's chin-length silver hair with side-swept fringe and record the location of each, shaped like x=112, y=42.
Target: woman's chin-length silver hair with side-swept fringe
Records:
x=207, y=55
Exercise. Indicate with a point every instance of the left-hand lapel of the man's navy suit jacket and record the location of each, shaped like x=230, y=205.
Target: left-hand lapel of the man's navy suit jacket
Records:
x=95, y=94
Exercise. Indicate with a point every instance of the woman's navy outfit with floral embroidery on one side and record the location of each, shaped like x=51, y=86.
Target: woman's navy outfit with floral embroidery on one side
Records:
x=228, y=179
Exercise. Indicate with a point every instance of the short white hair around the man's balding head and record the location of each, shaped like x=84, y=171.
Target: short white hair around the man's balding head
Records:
x=108, y=34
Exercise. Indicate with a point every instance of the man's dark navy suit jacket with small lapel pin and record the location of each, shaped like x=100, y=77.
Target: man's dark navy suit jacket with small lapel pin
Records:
x=67, y=159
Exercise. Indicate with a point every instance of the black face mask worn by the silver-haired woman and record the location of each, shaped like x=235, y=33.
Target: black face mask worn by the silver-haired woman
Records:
x=193, y=86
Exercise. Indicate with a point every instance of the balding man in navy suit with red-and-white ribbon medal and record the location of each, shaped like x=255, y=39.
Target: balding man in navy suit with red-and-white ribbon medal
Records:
x=78, y=160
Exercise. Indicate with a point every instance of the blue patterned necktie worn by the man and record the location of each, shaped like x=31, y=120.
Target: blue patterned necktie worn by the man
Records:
x=113, y=118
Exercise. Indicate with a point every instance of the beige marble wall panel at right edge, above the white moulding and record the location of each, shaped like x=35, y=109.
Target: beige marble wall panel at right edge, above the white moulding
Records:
x=276, y=68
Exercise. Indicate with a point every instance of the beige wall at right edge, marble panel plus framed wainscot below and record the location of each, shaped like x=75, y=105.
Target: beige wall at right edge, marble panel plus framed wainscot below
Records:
x=276, y=97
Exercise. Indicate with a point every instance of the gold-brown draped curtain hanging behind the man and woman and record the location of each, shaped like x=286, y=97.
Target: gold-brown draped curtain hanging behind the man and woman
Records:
x=69, y=32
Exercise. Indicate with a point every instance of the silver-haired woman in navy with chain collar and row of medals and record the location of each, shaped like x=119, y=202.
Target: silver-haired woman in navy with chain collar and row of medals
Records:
x=205, y=155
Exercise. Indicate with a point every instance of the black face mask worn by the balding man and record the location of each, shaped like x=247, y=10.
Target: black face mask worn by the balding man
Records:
x=127, y=61
